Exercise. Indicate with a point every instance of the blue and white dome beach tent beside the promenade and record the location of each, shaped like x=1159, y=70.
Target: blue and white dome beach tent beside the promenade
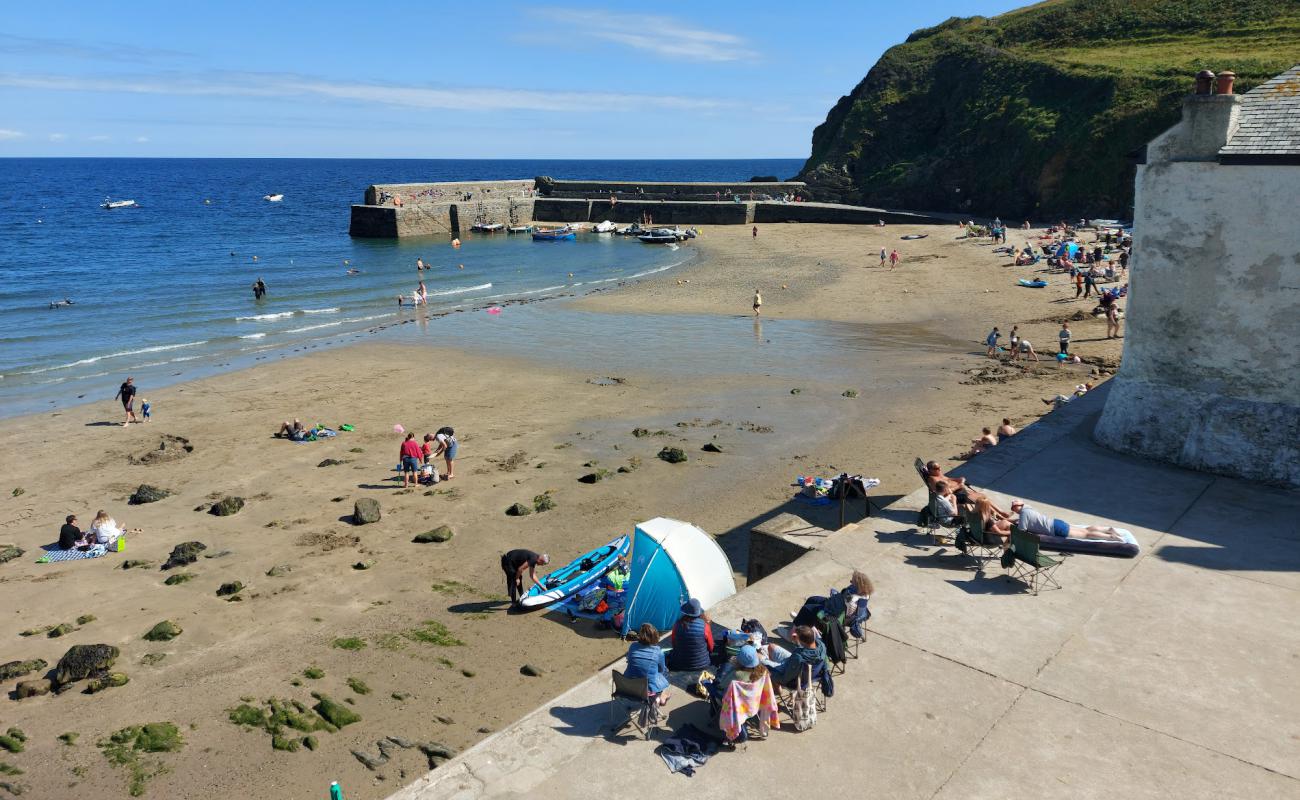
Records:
x=671, y=563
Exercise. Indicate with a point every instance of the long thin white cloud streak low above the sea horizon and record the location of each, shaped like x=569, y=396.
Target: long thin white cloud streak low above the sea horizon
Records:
x=275, y=87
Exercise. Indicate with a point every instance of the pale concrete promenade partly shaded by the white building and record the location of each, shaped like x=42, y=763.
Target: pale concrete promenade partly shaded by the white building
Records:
x=1169, y=676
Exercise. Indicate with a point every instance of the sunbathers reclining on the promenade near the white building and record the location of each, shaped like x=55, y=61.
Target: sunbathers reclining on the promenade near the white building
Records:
x=954, y=496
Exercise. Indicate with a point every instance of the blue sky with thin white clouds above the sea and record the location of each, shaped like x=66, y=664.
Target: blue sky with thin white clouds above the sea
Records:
x=410, y=79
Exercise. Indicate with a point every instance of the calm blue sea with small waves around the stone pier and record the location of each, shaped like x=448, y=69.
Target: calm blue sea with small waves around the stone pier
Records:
x=163, y=292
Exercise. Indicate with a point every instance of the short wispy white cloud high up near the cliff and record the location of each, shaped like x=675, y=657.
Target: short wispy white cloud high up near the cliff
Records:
x=665, y=37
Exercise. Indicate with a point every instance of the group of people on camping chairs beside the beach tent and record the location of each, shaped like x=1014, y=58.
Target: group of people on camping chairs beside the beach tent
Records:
x=740, y=669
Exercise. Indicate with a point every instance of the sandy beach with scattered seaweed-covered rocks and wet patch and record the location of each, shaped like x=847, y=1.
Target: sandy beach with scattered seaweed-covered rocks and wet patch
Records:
x=434, y=646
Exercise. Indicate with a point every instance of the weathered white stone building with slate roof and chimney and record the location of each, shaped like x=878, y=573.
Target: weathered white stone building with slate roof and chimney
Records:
x=1211, y=375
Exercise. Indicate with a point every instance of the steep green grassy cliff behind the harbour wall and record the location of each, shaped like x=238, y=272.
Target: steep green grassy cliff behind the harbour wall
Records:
x=1034, y=113
